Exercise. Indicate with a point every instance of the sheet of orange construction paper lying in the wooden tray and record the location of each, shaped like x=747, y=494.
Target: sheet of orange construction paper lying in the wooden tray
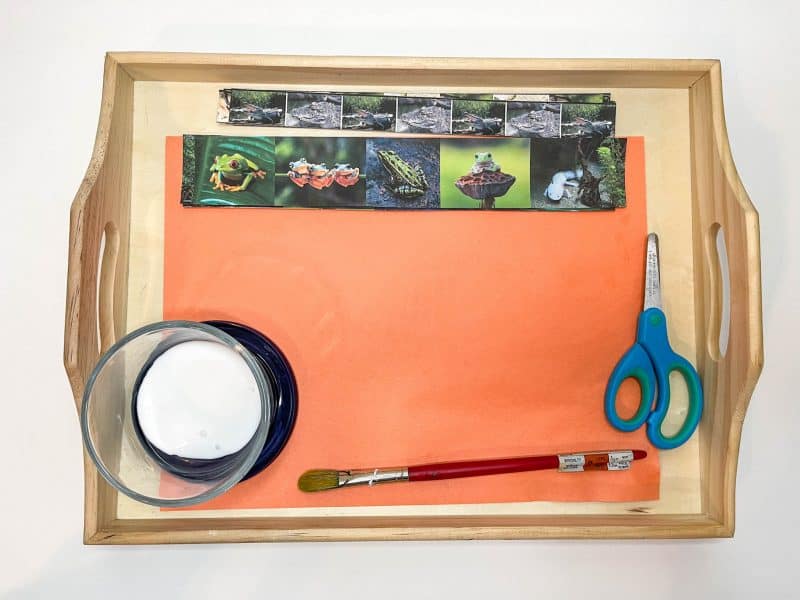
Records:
x=427, y=336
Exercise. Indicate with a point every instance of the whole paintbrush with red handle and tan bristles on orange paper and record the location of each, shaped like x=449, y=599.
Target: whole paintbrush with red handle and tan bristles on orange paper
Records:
x=611, y=460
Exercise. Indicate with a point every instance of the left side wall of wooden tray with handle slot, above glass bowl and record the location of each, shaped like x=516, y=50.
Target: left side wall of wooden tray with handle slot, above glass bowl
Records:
x=99, y=218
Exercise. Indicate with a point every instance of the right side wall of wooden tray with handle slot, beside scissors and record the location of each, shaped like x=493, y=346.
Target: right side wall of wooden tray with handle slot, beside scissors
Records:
x=730, y=374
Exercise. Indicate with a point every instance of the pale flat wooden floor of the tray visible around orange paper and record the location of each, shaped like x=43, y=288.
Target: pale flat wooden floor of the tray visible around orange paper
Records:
x=669, y=209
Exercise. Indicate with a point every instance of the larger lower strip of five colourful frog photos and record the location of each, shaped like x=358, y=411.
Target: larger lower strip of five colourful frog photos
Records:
x=581, y=173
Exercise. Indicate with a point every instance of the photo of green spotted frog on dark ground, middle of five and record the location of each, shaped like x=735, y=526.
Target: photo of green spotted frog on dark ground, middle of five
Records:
x=402, y=173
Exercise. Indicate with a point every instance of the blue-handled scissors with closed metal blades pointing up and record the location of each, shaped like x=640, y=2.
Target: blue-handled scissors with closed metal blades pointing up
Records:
x=650, y=361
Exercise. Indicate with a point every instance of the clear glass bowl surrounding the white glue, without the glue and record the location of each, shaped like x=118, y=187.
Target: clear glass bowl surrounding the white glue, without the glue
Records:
x=113, y=434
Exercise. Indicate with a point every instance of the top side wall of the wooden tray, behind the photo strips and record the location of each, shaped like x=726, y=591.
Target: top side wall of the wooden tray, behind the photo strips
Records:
x=497, y=74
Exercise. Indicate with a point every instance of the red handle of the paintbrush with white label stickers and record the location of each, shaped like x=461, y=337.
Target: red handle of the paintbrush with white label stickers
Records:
x=592, y=461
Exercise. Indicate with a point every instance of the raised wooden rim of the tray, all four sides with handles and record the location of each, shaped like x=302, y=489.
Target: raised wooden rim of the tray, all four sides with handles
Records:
x=701, y=77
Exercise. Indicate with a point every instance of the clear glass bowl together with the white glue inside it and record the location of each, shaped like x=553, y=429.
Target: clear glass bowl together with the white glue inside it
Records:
x=176, y=413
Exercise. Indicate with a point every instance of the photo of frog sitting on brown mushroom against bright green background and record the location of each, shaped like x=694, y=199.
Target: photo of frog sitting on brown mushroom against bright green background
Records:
x=485, y=173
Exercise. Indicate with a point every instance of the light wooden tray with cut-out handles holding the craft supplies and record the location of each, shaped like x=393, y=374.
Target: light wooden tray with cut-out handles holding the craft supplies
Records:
x=116, y=254
